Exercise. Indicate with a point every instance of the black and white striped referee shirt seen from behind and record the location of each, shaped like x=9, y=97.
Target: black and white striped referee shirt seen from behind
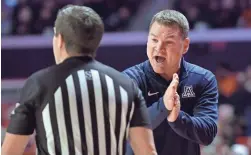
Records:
x=79, y=107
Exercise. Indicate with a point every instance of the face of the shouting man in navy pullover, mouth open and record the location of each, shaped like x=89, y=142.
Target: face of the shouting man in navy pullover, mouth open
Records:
x=165, y=47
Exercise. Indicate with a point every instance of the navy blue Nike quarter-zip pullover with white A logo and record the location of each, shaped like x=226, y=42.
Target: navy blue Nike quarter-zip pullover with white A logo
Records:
x=197, y=121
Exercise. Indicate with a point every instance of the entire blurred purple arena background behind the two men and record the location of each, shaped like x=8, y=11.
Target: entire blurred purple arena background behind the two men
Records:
x=221, y=42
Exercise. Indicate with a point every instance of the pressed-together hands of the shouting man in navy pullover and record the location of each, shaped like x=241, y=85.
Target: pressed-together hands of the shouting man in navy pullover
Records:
x=172, y=99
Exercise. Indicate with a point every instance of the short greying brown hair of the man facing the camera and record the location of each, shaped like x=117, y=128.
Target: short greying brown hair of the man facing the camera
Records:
x=172, y=18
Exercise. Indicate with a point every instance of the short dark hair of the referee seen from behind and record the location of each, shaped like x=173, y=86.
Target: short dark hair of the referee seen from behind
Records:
x=81, y=28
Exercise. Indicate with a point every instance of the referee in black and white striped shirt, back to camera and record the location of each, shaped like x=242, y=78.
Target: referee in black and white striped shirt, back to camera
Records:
x=79, y=106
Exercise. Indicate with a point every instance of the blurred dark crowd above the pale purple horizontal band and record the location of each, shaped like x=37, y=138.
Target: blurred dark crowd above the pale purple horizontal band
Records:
x=20, y=17
